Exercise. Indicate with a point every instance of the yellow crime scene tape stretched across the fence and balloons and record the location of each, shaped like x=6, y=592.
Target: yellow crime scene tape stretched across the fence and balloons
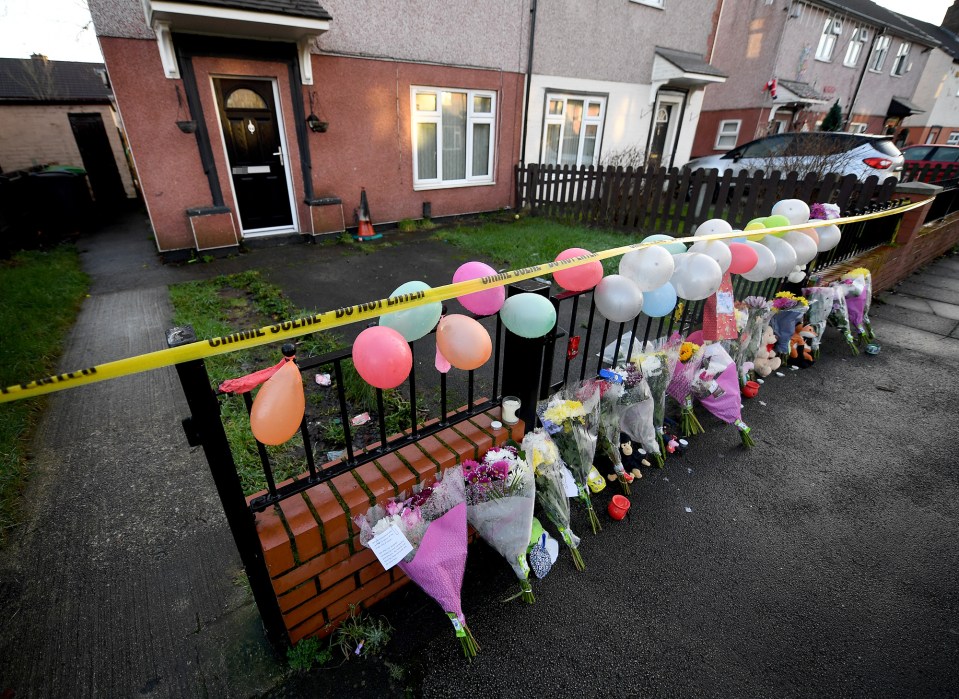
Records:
x=290, y=329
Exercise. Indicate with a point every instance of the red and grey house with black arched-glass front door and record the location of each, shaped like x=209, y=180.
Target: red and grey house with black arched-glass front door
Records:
x=266, y=118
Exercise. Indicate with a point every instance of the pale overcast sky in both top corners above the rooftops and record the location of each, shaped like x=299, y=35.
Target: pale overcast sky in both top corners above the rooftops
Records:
x=62, y=30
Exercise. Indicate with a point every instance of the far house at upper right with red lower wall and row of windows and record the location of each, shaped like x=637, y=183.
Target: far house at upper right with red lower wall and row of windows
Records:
x=790, y=61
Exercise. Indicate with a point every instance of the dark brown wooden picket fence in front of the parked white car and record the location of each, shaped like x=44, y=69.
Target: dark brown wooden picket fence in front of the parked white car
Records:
x=677, y=200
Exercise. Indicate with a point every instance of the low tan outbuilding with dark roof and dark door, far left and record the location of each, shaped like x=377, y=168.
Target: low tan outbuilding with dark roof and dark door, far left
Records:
x=61, y=113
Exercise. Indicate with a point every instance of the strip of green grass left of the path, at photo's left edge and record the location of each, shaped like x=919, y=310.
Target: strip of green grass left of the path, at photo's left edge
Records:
x=41, y=292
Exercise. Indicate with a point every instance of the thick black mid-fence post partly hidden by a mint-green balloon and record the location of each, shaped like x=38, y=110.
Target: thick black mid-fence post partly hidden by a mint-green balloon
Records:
x=523, y=358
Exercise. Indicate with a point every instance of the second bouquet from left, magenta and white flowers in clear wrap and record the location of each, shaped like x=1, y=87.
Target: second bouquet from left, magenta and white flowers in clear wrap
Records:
x=500, y=494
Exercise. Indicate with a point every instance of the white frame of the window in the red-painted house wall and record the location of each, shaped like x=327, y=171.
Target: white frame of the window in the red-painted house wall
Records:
x=436, y=117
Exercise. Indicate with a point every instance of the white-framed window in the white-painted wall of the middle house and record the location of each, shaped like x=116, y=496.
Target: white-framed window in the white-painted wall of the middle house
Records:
x=572, y=129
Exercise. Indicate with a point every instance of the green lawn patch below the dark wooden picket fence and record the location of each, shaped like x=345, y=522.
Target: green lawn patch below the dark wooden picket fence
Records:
x=532, y=240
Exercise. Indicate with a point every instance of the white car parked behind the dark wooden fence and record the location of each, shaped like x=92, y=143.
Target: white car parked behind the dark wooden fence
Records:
x=861, y=155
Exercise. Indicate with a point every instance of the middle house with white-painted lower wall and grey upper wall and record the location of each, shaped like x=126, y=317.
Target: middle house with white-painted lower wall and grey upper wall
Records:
x=629, y=92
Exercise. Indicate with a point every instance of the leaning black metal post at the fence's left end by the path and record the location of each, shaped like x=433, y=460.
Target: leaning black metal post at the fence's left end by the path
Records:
x=204, y=428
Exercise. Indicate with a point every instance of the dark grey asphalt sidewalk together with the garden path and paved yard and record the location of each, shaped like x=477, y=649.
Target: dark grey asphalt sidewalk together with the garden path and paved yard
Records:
x=820, y=563
